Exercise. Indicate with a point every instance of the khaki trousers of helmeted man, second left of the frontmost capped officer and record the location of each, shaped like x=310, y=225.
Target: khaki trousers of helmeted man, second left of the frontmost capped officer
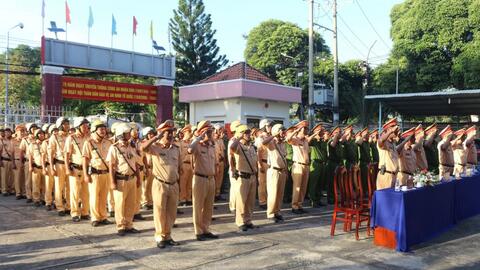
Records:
x=98, y=191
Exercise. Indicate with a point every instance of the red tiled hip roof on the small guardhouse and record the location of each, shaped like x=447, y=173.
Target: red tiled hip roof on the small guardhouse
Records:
x=241, y=70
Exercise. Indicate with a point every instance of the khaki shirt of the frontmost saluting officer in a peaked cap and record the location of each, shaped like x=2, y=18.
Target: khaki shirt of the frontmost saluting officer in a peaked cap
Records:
x=165, y=161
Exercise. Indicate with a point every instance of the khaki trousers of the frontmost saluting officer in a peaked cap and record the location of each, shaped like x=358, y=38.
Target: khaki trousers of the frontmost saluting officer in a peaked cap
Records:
x=165, y=198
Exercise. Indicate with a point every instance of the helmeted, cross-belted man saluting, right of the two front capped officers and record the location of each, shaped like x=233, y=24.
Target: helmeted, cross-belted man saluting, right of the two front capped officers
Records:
x=245, y=172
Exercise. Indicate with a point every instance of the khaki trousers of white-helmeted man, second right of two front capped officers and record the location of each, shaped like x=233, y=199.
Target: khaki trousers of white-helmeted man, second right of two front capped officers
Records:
x=275, y=189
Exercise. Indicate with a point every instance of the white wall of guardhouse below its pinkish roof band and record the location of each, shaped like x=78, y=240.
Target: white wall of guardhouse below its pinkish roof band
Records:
x=238, y=109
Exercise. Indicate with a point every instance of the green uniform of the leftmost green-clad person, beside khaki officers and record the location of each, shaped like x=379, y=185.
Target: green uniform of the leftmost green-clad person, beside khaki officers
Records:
x=318, y=163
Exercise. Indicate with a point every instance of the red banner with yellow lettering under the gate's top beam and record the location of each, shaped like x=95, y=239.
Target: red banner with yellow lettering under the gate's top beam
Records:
x=86, y=89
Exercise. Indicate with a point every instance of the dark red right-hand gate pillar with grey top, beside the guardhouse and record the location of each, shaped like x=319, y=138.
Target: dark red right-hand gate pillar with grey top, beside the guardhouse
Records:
x=164, y=100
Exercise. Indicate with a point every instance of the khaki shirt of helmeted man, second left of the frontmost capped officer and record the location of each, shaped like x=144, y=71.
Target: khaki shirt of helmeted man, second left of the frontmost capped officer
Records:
x=97, y=152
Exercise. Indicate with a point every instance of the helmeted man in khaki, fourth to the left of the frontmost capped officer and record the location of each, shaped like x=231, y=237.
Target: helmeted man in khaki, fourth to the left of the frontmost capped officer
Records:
x=56, y=146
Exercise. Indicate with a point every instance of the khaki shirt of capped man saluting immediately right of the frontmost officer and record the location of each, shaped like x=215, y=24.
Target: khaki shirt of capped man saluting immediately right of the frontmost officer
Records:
x=204, y=159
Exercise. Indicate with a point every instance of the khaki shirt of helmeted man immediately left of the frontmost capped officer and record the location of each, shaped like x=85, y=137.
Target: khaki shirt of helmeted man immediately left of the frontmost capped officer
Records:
x=124, y=157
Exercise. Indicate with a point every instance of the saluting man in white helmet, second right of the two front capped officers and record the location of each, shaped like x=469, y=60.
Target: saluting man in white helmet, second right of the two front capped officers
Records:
x=277, y=172
